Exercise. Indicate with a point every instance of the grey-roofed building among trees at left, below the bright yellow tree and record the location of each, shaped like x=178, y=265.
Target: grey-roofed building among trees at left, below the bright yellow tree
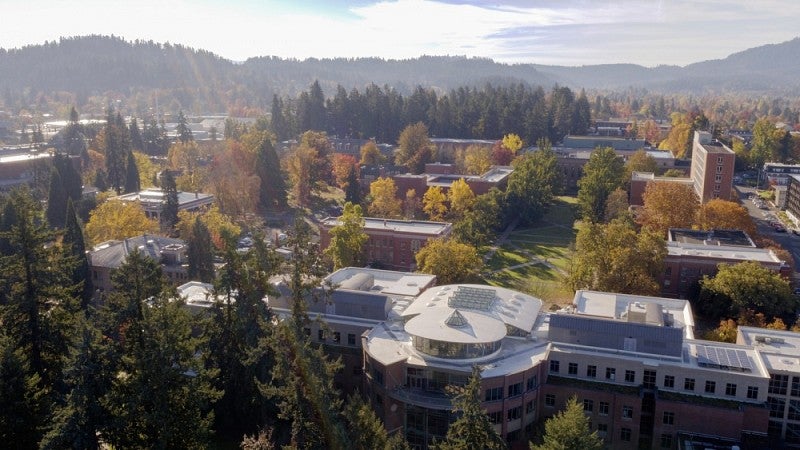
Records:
x=108, y=256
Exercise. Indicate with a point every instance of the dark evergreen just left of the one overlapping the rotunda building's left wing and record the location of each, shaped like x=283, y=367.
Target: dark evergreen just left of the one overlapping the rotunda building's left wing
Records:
x=239, y=326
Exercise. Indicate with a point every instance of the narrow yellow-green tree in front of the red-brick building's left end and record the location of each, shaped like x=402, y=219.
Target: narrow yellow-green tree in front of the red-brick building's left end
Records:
x=348, y=238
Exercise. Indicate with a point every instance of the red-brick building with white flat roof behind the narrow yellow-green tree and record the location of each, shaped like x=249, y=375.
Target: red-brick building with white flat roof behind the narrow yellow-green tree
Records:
x=391, y=243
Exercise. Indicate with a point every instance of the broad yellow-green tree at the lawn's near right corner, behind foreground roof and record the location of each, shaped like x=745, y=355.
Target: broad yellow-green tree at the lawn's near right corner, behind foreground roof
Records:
x=614, y=257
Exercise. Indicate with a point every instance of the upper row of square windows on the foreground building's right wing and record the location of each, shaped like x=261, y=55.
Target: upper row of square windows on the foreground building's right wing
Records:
x=649, y=380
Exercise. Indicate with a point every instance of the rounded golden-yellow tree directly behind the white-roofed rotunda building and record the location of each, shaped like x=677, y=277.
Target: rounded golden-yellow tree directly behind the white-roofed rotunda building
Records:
x=450, y=260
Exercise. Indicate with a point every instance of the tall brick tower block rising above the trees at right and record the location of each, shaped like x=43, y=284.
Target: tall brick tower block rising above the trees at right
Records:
x=712, y=167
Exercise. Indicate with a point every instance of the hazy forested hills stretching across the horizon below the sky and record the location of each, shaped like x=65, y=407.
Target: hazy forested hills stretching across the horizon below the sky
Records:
x=97, y=65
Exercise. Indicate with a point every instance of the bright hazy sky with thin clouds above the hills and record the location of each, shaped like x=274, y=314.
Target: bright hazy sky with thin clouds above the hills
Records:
x=567, y=32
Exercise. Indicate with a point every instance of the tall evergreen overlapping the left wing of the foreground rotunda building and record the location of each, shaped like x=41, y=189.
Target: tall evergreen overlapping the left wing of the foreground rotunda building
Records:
x=302, y=380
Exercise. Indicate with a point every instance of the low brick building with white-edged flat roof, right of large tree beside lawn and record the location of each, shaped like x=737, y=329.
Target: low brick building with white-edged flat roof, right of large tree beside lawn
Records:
x=691, y=254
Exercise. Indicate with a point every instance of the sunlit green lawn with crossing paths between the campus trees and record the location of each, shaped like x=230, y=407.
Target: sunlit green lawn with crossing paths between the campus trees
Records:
x=535, y=259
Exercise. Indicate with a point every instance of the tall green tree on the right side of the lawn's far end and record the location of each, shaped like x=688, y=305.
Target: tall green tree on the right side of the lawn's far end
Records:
x=602, y=174
